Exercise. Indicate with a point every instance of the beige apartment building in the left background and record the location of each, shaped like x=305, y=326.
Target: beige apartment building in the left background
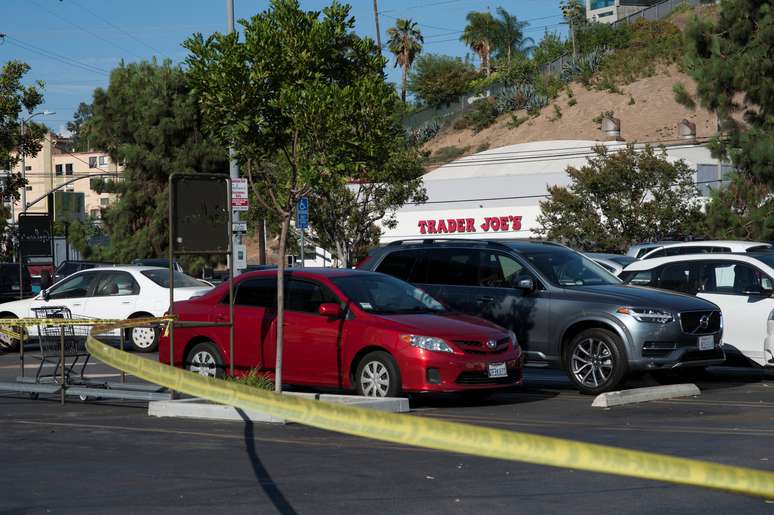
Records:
x=55, y=167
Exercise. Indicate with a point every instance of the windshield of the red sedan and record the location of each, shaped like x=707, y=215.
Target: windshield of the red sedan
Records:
x=385, y=295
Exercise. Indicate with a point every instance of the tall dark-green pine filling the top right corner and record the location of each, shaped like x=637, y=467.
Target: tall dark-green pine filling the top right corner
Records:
x=732, y=62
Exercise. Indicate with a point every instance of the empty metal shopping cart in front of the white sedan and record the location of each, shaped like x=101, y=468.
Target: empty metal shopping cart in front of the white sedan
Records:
x=62, y=345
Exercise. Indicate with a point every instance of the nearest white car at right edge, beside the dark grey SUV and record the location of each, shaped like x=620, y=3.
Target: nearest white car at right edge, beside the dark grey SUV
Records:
x=742, y=286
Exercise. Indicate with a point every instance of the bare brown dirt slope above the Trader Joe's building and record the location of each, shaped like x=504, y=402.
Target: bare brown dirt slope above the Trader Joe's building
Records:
x=652, y=117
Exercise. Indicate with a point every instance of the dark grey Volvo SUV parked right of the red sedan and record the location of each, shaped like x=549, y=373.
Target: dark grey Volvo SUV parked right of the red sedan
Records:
x=565, y=309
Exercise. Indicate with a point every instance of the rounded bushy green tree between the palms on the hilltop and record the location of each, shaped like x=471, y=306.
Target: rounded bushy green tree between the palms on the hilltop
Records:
x=440, y=79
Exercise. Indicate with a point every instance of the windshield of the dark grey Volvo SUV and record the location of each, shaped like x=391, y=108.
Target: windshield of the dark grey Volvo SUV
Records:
x=564, y=267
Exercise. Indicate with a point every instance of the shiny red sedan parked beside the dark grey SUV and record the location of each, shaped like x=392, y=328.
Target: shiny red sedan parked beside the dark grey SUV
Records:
x=348, y=329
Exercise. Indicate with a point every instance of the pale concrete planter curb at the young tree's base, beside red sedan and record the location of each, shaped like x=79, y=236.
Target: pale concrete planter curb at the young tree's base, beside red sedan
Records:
x=202, y=409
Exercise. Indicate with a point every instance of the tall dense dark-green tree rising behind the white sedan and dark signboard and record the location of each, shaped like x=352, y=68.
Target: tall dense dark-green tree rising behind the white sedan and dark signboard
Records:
x=148, y=118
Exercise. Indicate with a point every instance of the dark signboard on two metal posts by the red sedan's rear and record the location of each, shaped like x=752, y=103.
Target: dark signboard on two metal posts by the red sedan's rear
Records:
x=200, y=223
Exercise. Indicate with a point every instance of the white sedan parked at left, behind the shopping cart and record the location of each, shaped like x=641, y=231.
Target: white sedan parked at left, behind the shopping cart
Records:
x=119, y=292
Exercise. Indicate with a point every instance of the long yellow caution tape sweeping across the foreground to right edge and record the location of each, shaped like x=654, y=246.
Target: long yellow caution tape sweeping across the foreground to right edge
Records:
x=443, y=435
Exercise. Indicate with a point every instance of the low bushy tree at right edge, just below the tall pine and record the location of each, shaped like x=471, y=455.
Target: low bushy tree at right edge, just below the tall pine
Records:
x=742, y=210
